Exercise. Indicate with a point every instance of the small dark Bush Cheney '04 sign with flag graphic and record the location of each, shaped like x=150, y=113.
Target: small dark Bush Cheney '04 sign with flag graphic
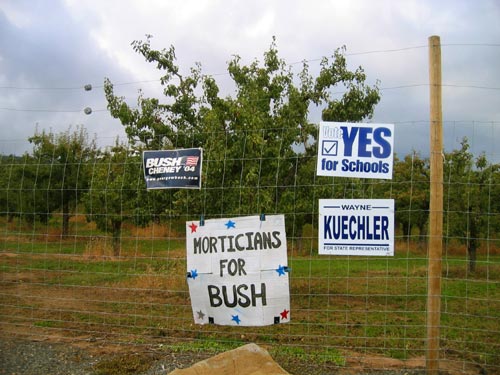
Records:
x=169, y=169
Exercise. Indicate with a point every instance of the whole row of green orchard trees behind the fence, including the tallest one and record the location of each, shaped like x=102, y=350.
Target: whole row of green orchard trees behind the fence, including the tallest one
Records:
x=259, y=156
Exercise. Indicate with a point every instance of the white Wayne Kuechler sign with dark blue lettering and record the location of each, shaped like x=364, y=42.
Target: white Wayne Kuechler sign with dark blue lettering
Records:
x=356, y=227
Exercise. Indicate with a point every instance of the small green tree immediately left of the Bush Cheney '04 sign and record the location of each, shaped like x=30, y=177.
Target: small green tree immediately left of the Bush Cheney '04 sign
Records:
x=116, y=192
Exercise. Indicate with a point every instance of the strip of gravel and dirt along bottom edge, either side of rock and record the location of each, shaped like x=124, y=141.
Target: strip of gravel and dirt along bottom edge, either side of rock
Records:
x=59, y=356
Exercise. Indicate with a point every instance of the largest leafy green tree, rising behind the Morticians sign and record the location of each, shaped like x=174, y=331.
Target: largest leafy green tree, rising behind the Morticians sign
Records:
x=255, y=142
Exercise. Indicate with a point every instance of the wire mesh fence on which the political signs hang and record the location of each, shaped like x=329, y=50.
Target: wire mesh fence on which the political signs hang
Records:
x=88, y=253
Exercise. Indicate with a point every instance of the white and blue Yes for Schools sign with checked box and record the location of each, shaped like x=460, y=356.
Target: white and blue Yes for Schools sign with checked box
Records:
x=355, y=150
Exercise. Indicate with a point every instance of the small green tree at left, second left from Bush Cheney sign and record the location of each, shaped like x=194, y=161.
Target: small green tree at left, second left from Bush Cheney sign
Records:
x=63, y=161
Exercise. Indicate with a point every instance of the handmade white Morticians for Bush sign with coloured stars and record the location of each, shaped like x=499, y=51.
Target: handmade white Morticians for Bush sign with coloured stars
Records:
x=237, y=271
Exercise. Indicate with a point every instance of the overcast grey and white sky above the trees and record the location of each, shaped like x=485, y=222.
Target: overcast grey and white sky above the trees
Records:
x=50, y=49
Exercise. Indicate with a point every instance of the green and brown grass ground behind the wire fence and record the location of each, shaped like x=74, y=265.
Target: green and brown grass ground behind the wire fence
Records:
x=375, y=305
